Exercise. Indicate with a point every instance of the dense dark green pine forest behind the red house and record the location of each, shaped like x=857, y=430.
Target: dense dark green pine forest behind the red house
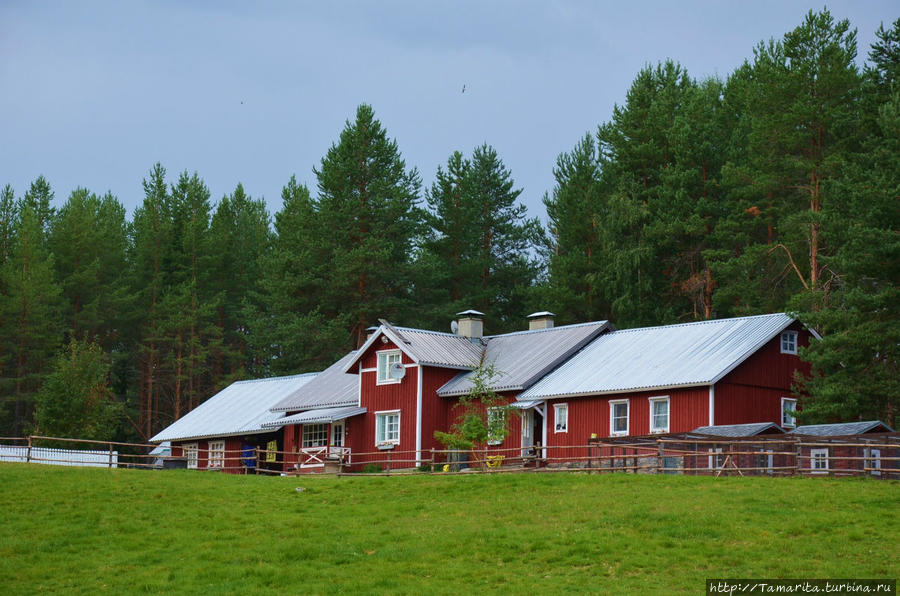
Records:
x=775, y=189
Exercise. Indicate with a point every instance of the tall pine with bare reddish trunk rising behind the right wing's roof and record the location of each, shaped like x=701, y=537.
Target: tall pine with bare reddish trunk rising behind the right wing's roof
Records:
x=801, y=101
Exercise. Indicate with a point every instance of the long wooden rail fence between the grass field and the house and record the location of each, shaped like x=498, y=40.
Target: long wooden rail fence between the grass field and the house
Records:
x=876, y=456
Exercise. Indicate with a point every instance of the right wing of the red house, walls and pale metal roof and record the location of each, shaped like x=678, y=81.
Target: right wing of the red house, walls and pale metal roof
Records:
x=672, y=379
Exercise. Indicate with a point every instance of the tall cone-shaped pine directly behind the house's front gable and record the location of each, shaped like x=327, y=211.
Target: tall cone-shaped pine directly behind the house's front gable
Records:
x=367, y=202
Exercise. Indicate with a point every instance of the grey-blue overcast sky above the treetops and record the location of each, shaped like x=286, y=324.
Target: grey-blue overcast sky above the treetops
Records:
x=94, y=93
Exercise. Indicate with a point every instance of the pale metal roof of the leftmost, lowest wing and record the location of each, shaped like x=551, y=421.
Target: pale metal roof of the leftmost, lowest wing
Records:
x=240, y=409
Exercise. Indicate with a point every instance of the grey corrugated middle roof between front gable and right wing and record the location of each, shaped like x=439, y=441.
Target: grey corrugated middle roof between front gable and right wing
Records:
x=521, y=358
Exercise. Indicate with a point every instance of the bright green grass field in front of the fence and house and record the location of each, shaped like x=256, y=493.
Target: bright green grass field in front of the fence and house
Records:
x=84, y=531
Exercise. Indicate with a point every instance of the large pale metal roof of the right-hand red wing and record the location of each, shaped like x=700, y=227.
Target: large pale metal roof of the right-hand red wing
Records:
x=672, y=356
